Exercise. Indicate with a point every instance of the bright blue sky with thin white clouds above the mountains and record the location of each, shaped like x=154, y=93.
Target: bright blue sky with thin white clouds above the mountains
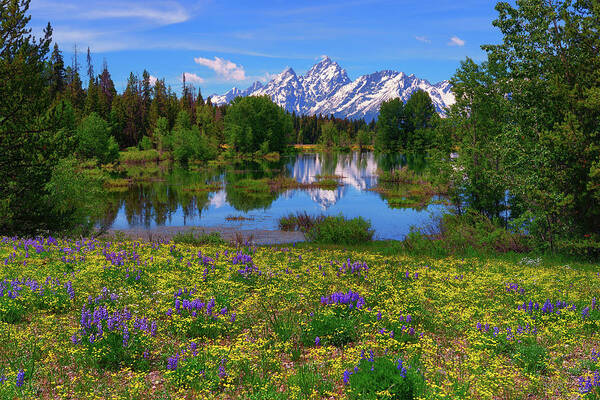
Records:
x=220, y=43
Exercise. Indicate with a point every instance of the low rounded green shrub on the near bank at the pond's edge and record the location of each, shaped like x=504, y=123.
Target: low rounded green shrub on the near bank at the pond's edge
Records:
x=339, y=230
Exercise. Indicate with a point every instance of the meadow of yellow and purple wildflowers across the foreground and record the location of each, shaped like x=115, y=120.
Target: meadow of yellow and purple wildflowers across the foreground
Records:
x=93, y=319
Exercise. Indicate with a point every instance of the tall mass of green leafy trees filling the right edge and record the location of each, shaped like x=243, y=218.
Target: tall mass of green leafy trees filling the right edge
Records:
x=527, y=120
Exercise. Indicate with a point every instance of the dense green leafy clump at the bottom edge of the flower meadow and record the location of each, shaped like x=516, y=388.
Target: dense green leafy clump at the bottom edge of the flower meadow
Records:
x=381, y=378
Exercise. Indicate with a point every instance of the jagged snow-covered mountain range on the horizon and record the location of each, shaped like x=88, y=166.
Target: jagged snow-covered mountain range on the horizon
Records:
x=326, y=89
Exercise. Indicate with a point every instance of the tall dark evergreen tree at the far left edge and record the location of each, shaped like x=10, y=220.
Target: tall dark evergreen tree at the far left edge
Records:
x=30, y=146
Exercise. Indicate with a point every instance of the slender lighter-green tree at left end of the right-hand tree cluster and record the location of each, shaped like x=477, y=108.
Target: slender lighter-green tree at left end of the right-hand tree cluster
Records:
x=478, y=116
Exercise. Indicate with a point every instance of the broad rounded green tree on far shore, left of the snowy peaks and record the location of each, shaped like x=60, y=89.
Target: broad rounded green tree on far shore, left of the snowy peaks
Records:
x=252, y=121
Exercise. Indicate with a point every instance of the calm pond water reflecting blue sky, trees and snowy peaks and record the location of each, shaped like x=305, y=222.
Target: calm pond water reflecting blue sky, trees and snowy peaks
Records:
x=169, y=199
